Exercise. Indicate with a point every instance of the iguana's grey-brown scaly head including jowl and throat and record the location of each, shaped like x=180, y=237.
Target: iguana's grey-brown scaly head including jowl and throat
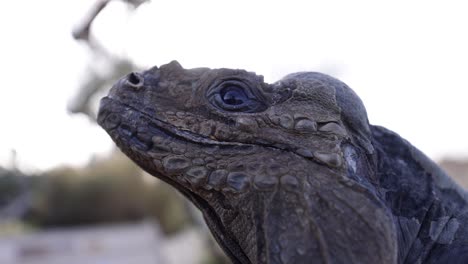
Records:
x=280, y=171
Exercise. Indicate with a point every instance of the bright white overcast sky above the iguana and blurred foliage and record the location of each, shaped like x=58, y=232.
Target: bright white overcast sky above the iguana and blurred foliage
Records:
x=408, y=61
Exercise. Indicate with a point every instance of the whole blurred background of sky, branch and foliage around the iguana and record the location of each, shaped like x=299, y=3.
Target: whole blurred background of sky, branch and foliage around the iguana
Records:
x=67, y=195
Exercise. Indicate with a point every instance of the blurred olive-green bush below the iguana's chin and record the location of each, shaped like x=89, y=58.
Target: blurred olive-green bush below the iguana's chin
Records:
x=107, y=190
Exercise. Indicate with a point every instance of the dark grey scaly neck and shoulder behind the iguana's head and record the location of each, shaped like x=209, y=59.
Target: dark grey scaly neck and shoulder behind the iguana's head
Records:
x=428, y=207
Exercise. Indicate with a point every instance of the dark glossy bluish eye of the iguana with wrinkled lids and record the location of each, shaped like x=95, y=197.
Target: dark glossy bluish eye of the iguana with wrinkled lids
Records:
x=235, y=96
